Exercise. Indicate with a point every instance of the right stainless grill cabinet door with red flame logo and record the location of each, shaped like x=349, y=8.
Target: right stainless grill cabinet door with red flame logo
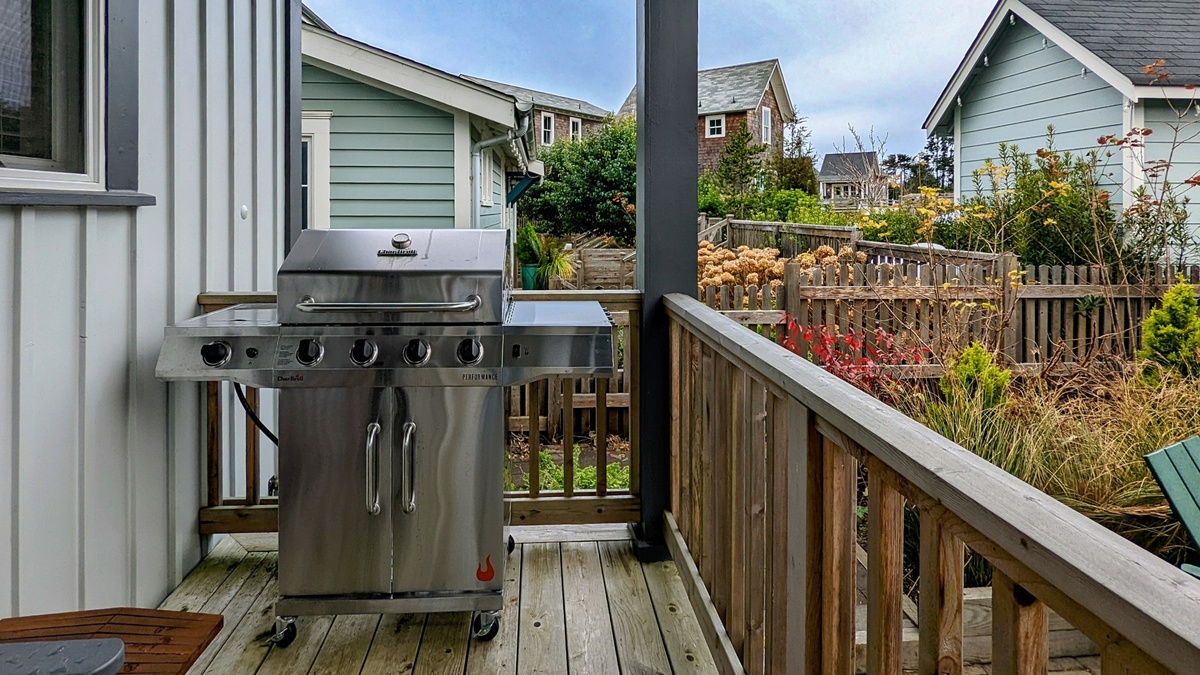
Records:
x=453, y=541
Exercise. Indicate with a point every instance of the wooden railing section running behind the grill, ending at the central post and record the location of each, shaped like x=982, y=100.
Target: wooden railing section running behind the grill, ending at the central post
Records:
x=562, y=407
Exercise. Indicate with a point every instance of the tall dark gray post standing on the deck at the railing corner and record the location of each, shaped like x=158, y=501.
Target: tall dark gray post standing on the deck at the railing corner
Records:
x=667, y=234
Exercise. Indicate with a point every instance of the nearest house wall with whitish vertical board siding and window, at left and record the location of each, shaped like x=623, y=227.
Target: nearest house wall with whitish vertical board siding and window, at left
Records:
x=166, y=177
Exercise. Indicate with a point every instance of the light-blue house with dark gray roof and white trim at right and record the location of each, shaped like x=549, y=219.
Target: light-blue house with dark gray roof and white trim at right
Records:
x=1078, y=67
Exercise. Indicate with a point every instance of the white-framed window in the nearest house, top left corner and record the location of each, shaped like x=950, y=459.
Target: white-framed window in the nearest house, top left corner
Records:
x=50, y=94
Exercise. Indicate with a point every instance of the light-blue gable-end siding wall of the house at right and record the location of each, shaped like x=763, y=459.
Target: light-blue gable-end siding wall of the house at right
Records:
x=1029, y=85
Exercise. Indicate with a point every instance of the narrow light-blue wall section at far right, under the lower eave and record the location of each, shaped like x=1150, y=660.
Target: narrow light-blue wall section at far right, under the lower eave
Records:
x=1175, y=139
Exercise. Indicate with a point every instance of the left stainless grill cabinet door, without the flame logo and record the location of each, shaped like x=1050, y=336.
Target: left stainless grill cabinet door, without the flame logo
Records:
x=329, y=542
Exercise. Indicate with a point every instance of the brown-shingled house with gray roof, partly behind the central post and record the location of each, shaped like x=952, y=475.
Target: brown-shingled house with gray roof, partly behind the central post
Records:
x=752, y=94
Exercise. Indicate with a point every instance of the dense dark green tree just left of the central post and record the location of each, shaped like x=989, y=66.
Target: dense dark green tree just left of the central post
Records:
x=591, y=186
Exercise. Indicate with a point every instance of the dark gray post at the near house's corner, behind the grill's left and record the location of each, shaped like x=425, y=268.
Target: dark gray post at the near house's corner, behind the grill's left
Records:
x=292, y=106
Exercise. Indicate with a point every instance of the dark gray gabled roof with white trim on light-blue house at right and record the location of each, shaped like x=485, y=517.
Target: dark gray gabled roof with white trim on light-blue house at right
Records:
x=1114, y=39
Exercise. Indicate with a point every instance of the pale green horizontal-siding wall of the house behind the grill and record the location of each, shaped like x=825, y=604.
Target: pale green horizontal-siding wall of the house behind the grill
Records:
x=392, y=159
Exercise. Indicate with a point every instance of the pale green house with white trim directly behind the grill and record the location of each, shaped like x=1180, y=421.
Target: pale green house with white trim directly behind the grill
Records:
x=392, y=144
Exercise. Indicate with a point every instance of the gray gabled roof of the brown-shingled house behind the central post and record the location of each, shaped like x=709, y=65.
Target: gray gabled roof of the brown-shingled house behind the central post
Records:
x=734, y=89
